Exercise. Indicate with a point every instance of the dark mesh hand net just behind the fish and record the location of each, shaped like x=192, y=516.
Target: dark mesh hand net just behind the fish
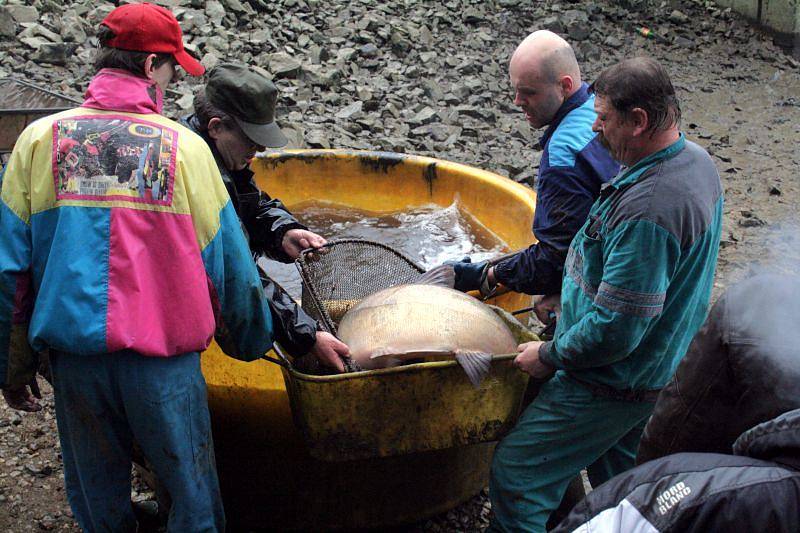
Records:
x=343, y=272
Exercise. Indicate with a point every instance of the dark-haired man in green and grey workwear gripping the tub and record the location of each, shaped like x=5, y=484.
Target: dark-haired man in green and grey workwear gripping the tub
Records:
x=636, y=288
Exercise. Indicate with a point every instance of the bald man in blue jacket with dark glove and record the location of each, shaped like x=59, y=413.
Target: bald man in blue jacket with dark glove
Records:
x=548, y=88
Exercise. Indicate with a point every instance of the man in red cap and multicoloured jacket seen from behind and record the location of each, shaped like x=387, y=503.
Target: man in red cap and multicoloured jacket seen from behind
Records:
x=121, y=254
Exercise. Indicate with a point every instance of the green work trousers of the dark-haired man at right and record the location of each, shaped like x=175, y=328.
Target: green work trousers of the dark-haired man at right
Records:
x=565, y=429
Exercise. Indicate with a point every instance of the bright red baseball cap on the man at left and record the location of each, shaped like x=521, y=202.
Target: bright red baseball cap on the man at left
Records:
x=150, y=28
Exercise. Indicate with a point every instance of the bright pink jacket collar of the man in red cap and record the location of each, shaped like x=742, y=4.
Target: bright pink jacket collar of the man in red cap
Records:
x=120, y=90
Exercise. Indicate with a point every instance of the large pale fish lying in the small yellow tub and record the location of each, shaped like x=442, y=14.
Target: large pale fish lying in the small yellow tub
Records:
x=425, y=322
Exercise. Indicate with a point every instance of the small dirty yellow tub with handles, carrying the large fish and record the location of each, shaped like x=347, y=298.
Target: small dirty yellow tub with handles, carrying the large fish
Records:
x=406, y=409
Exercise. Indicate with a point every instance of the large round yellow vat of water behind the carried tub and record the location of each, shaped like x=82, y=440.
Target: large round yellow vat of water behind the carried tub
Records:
x=270, y=479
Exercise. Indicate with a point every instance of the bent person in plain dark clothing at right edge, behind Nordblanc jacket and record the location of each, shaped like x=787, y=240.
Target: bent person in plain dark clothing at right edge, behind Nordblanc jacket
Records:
x=742, y=368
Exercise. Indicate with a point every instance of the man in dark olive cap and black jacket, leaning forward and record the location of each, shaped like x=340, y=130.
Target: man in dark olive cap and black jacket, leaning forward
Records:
x=235, y=115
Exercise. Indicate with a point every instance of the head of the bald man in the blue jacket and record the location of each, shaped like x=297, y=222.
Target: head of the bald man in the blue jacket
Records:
x=544, y=73
